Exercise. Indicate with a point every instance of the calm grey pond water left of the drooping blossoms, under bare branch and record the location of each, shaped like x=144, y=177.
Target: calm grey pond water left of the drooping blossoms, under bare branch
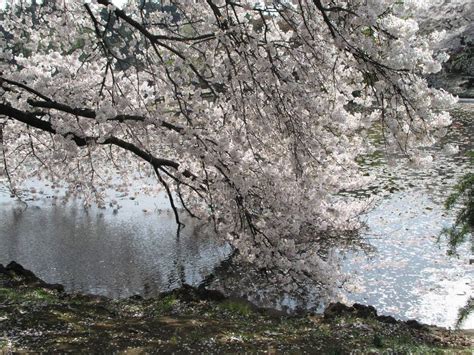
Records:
x=95, y=251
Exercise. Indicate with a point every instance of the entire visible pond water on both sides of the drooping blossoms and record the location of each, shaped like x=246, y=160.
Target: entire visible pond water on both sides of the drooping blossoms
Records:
x=135, y=251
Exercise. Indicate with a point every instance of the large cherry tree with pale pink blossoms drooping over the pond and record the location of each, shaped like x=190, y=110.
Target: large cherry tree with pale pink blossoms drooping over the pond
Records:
x=249, y=114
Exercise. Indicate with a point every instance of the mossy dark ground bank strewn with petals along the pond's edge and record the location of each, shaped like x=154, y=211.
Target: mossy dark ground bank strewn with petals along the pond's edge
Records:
x=34, y=318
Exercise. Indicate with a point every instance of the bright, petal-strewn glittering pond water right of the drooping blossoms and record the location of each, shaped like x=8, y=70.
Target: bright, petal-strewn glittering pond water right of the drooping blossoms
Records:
x=410, y=274
